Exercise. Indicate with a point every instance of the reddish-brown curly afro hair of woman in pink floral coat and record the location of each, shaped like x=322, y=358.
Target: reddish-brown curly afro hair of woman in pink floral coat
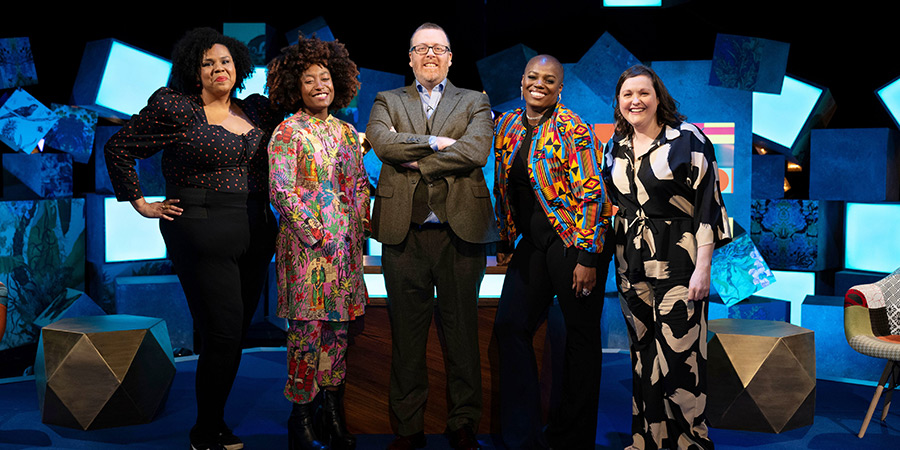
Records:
x=286, y=70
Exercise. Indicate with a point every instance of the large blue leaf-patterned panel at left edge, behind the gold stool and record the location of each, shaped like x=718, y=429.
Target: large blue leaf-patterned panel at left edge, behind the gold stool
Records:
x=42, y=253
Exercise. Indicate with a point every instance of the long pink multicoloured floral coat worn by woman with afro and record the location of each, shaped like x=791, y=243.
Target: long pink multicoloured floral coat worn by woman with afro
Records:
x=319, y=186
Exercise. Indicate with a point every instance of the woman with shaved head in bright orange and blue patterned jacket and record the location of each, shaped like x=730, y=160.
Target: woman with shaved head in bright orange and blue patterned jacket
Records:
x=549, y=192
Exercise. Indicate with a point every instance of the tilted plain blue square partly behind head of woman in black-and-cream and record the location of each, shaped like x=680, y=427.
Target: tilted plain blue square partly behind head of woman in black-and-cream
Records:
x=601, y=66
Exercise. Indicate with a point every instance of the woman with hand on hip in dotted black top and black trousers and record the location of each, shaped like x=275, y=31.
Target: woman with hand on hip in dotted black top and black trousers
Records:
x=217, y=225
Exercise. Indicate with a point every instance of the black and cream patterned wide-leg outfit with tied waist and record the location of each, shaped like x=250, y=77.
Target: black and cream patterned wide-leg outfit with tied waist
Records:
x=669, y=205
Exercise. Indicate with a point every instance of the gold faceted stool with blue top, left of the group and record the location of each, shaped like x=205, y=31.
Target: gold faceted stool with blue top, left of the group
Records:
x=103, y=371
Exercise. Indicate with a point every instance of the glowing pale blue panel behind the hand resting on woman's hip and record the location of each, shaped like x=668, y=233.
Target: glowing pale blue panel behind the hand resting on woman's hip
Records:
x=130, y=236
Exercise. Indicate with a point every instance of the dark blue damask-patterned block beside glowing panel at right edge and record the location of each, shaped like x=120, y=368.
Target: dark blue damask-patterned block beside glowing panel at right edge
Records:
x=804, y=235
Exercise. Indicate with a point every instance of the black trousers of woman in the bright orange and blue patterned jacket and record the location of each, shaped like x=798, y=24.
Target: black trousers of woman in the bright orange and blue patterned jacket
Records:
x=534, y=276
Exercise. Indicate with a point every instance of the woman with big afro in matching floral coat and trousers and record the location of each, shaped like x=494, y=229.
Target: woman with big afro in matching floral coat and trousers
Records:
x=319, y=186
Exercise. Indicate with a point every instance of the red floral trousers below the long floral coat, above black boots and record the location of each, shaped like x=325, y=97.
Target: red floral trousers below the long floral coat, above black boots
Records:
x=316, y=352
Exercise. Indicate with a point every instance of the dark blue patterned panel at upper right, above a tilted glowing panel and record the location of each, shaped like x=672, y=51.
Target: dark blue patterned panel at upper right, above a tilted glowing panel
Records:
x=748, y=63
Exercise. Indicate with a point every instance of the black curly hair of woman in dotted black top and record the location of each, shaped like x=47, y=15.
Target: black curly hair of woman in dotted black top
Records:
x=188, y=55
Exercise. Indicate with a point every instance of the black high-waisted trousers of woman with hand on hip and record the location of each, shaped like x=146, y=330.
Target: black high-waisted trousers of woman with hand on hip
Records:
x=220, y=247
